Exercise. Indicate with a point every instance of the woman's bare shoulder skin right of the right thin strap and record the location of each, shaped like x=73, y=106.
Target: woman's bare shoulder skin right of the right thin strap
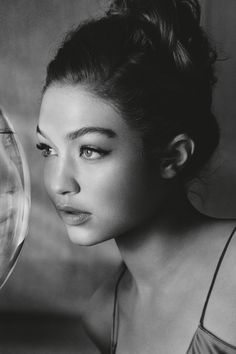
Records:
x=220, y=316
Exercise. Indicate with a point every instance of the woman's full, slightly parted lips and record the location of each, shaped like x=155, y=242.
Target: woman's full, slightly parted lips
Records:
x=72, y=216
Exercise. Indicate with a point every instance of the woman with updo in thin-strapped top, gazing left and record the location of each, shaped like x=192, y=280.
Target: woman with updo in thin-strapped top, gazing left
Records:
x=125, y=123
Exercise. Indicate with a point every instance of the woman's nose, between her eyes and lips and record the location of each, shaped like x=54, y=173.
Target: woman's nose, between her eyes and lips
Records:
x=64, y=178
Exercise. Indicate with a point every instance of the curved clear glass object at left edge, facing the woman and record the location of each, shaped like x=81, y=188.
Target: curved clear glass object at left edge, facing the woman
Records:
x=14, y=198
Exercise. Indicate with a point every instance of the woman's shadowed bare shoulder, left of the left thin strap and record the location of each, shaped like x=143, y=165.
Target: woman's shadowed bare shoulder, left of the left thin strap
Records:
x=97, y=317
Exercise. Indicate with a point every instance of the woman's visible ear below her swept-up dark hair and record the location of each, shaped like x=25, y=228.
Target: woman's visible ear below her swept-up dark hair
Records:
x=175, y=156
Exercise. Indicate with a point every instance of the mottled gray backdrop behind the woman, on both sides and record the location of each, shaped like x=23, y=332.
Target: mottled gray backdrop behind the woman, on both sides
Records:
x=42, y=300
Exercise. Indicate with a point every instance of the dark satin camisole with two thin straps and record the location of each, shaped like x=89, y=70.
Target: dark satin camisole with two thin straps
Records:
x=203, y=341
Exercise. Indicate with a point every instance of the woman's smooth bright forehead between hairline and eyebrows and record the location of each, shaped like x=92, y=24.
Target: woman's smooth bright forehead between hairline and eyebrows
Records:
x=65, y=108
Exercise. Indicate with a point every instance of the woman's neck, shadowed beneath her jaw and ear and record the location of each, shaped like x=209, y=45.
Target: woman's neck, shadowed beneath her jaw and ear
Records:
x=156, y=249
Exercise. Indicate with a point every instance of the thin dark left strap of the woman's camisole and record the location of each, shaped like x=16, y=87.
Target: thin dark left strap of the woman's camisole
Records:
x=115, y=316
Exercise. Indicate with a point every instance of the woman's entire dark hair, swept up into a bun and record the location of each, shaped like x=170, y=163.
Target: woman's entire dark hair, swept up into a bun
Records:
x=152, y=60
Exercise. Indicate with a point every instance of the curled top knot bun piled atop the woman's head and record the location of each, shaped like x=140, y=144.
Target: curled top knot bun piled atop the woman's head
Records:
x=178, y=24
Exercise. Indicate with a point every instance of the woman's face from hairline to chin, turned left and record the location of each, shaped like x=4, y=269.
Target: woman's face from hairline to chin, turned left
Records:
x=95, y=172
